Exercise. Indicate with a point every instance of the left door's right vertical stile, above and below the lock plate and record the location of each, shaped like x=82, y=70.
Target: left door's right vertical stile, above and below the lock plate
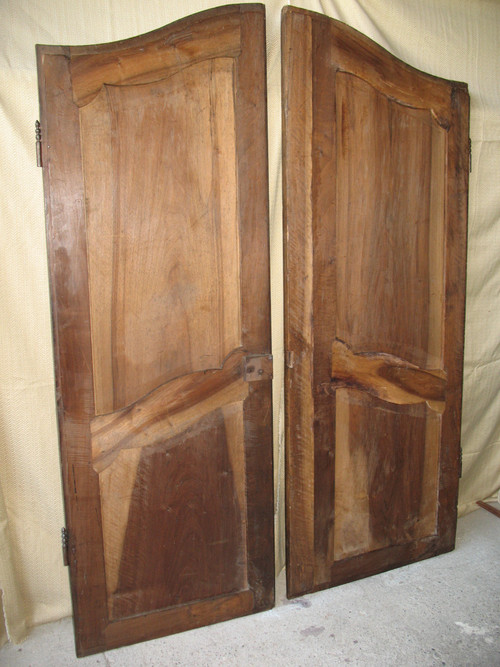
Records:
x=251, y=142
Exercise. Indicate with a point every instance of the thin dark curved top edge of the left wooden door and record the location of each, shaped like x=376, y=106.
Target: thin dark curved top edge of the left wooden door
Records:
x=152, y=35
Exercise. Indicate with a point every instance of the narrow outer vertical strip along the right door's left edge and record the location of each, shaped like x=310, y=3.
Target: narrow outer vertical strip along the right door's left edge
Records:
x=298, y=307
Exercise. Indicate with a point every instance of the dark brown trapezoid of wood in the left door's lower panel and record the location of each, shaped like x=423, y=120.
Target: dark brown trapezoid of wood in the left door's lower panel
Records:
x=179, y=548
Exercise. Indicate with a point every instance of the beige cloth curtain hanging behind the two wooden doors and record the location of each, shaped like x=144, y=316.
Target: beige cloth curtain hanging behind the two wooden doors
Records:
x=455, y=40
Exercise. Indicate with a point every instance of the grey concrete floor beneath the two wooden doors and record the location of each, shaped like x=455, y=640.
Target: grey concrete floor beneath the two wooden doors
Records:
x=443, y=611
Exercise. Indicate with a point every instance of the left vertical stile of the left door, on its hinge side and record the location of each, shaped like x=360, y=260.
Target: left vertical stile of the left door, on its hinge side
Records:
x=67, y=260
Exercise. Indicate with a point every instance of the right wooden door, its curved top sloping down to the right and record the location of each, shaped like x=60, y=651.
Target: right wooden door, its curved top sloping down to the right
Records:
x=375, y=198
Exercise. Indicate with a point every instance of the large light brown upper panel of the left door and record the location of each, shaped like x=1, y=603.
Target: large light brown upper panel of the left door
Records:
x=160, y=177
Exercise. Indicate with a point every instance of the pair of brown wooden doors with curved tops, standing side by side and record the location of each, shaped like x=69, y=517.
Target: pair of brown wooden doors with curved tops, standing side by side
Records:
x=155, y=172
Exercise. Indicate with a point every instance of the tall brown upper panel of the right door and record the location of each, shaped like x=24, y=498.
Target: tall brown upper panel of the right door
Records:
x=389, y=225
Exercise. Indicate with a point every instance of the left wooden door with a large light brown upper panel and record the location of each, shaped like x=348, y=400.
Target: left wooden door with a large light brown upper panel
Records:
x=155, y=169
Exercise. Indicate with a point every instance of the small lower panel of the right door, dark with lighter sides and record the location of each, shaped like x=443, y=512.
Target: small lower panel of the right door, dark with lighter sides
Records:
x=386, y=489
